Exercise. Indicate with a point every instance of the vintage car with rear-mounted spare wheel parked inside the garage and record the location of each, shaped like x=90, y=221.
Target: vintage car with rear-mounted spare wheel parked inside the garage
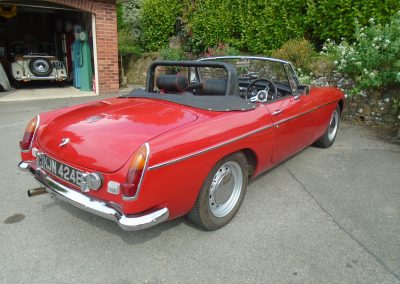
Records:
x=37, y=67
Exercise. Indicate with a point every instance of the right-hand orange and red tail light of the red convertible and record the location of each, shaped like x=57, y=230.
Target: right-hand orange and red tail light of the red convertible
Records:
x=137, y=169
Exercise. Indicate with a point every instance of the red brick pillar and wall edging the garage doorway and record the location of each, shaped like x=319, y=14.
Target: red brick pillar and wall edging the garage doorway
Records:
x=106, y=38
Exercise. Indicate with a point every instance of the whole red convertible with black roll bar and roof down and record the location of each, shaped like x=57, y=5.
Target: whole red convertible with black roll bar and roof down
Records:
x=187, y=144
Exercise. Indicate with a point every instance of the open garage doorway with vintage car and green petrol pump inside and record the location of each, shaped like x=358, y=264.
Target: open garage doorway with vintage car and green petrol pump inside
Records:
x=47, y=46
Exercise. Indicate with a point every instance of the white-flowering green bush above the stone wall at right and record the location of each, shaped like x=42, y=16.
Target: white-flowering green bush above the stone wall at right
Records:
x=373, y=60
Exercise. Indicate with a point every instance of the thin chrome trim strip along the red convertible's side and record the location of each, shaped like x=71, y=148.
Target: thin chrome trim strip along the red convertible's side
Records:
x=205, y=150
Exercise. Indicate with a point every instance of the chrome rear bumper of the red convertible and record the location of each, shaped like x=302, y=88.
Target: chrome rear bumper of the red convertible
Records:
x=95, y=206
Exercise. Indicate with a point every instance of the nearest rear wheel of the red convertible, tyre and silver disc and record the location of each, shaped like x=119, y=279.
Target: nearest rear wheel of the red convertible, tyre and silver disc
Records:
x=221, y=194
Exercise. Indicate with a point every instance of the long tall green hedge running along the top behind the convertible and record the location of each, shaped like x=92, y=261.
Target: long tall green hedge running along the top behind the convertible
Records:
x=257, y=26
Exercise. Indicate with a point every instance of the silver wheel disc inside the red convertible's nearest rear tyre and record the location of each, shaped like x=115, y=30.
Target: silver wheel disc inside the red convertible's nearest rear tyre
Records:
x=225, y=189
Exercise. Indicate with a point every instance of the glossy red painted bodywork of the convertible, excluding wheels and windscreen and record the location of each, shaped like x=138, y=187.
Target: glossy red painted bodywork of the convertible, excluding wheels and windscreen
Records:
x=185, y=143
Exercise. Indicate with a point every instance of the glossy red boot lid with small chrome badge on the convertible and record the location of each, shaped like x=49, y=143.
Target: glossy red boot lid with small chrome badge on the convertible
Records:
x=102, y=136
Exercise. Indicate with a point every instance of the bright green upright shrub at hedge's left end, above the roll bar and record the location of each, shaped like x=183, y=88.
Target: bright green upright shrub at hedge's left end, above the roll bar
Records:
x=158, y=20
